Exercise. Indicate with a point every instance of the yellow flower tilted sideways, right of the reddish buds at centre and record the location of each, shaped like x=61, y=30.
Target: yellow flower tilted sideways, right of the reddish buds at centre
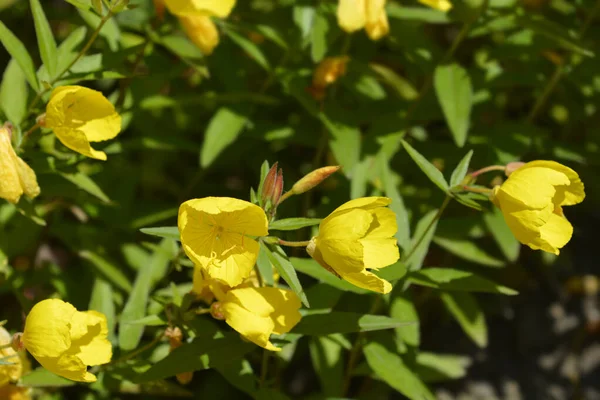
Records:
x=355, y=237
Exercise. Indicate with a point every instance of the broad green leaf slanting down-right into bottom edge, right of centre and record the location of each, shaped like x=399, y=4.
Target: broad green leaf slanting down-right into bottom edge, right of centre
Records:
x=392, y=370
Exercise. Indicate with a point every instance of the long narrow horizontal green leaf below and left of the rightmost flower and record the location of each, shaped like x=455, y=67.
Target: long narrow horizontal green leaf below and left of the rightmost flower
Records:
x=455, y=279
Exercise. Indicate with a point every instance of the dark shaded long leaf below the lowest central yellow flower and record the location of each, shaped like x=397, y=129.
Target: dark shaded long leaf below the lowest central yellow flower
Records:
x=200, y=354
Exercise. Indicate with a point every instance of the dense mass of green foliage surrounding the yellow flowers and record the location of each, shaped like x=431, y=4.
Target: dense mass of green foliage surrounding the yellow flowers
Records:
x=512, y=80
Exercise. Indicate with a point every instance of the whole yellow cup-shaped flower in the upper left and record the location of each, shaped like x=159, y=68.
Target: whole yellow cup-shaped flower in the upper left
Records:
x=78, y=116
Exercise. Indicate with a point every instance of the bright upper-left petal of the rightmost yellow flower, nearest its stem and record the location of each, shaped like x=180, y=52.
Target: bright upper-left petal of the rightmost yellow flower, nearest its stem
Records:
x=533, y=187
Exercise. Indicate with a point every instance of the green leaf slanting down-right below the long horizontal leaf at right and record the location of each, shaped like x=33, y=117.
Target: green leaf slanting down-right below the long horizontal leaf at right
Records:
x=464, y=308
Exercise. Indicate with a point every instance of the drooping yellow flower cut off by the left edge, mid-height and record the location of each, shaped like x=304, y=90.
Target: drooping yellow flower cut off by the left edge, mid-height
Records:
x=16, y=177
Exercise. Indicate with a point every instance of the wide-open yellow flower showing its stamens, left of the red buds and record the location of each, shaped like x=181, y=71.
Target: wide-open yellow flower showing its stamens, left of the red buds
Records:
x=216, y=234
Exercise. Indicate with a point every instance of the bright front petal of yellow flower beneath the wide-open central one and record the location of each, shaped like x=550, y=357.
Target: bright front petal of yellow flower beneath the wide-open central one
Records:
x=253, y=327
